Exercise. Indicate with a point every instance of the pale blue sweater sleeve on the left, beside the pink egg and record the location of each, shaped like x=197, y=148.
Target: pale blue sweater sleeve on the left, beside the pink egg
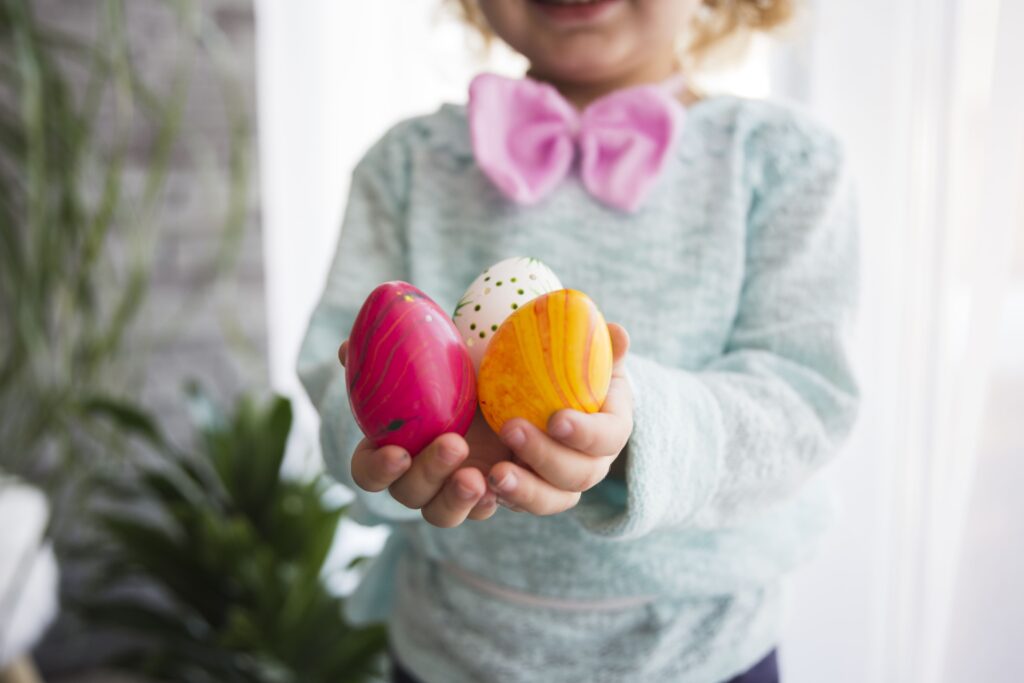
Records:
x=371, y=250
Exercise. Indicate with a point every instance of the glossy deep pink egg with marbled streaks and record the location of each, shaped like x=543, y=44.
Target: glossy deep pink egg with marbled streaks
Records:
x=409, y=375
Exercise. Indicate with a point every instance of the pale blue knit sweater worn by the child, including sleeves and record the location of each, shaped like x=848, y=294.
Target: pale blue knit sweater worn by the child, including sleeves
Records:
x=736, y=281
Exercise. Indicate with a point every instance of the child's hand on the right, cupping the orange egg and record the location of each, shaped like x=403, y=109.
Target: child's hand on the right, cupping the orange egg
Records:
x=552, y=472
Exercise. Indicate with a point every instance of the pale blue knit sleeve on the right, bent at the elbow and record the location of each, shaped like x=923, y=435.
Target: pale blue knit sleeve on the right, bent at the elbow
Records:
x=713, y=447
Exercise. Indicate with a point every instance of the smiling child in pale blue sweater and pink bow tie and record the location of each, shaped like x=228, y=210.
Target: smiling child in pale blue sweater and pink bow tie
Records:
x=648, y=542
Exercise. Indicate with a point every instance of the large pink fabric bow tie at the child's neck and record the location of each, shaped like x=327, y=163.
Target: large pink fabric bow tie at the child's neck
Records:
x=526, y=138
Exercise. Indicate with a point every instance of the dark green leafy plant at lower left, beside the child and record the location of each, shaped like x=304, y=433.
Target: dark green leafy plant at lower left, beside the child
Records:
x=237, y=552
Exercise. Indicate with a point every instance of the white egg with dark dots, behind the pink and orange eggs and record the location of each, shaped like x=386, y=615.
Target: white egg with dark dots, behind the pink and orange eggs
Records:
x=499, y=292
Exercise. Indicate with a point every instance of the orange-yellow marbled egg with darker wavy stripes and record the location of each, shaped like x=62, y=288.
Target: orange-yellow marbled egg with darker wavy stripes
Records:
x=552, y=354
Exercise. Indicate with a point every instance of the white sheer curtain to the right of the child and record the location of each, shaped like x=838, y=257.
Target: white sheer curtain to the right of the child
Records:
x=927, y=97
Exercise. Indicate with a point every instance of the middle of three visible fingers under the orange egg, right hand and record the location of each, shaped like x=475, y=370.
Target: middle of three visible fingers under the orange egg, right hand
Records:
x=561, y=466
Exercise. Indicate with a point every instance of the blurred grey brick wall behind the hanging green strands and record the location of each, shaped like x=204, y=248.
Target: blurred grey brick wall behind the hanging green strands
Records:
x=190, y=328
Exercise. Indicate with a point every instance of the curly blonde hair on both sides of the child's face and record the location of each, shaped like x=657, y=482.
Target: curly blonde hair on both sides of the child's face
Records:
x=720, y=26
